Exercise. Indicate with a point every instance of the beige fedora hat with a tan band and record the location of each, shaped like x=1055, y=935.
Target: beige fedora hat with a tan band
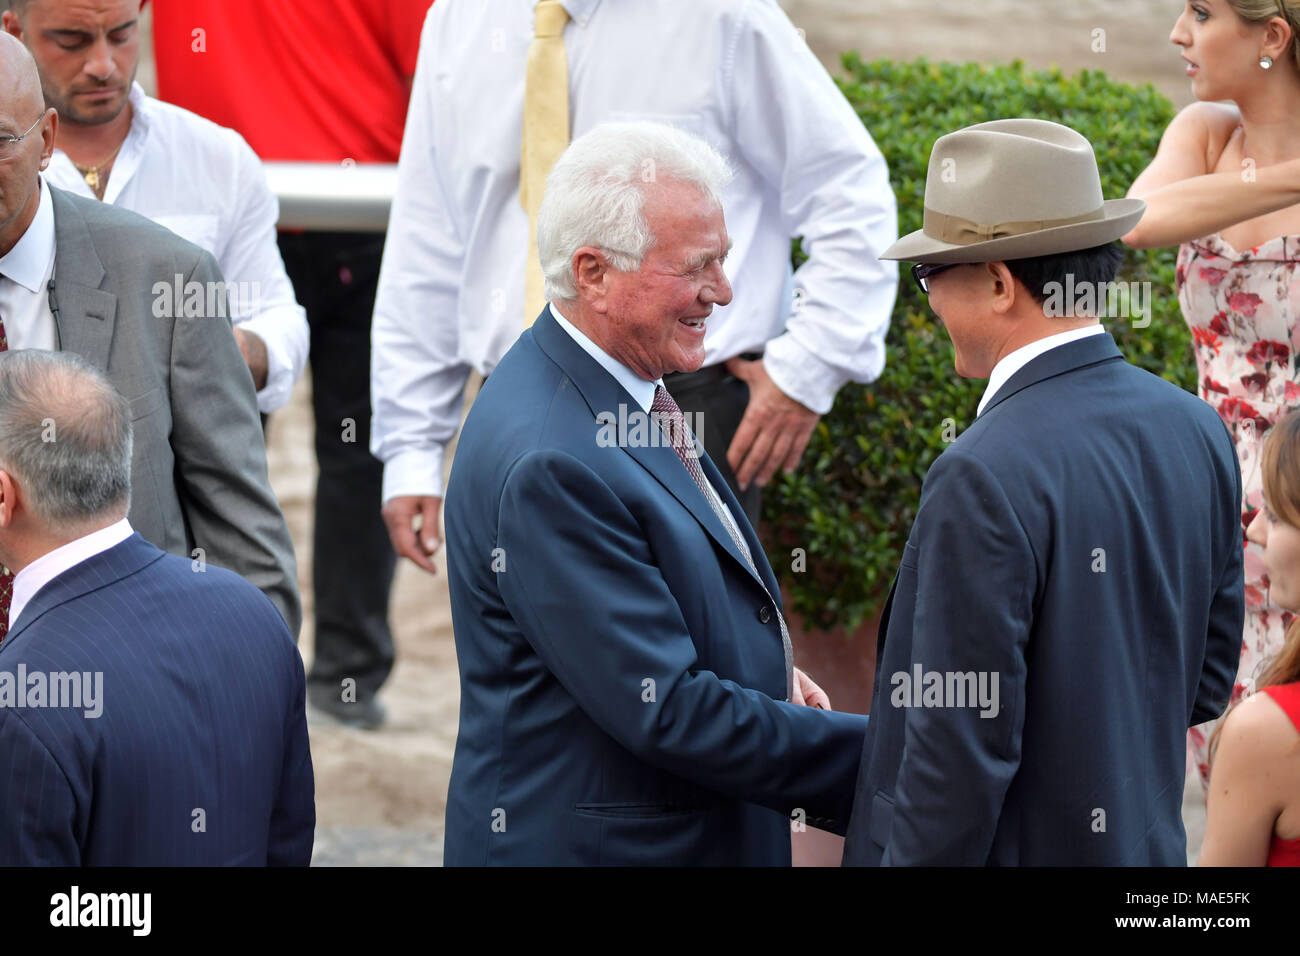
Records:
x=1013, y=189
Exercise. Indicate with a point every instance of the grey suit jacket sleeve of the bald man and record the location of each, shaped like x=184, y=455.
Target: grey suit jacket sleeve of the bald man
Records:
x=222, y=458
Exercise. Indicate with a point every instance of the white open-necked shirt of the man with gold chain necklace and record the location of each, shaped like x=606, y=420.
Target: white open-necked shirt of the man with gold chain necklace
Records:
x=207, y=185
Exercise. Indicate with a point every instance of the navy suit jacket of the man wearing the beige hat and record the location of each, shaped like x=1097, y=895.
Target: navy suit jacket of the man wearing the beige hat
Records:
x=1081, y=542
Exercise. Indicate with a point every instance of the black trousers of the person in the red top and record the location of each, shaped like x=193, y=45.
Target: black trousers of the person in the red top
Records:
x=335, y=276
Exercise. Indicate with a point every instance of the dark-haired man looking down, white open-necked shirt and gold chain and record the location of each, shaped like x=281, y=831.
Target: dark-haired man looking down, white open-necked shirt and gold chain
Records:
x=200, y=180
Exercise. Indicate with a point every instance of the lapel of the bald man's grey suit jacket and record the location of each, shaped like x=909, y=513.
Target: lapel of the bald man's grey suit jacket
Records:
x=86, y=314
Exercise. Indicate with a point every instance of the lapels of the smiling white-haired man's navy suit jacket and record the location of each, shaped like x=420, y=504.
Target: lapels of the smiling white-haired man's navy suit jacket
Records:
x=604, y=395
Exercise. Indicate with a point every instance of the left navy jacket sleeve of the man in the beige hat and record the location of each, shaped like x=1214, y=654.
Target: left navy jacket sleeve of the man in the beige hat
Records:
x=976, y=583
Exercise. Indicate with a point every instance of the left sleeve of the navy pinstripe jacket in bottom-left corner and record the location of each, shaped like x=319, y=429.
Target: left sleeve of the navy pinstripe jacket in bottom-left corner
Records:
x=38, y=810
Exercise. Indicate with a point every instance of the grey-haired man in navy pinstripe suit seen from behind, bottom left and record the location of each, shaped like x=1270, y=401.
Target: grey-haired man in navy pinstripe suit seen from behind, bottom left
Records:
x=151, y=708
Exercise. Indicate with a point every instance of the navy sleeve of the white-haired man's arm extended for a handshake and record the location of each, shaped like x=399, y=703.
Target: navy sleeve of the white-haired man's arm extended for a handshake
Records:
x=586, y=589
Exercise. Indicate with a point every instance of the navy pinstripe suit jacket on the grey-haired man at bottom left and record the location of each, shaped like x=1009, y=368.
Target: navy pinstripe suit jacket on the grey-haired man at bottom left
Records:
x=200, y=755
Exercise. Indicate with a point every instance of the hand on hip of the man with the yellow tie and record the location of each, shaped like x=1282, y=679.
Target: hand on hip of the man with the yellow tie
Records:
x=775, y=429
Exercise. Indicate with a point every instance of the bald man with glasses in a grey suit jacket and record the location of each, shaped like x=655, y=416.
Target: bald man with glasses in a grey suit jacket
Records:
x=148, y=309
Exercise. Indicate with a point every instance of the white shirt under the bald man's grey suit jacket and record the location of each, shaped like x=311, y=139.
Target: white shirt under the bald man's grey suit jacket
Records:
x=25, y=274
